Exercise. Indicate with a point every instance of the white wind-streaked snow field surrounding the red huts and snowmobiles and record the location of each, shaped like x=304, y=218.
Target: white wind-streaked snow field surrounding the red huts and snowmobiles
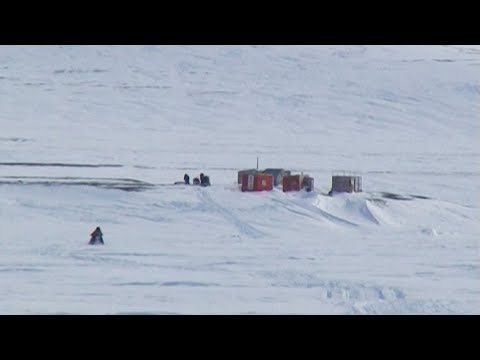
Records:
x=405, y=117
